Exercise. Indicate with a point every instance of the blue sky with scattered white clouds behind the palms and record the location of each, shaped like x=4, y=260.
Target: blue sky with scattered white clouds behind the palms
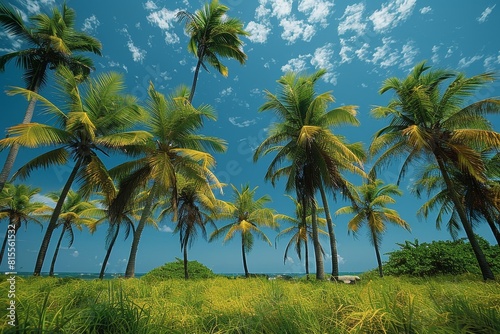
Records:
x=359, y=43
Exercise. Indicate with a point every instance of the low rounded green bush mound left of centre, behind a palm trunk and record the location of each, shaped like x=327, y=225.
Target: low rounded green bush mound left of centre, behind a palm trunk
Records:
x=173, y=270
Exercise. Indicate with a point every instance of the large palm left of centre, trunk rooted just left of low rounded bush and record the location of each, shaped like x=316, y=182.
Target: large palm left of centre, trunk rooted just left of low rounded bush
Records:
x=175, y=147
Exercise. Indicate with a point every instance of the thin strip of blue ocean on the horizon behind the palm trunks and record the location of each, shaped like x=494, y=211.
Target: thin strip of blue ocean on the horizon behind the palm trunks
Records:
x=90, y=276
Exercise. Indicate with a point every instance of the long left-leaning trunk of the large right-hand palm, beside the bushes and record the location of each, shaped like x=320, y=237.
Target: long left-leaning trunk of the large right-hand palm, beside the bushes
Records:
x=481, y=259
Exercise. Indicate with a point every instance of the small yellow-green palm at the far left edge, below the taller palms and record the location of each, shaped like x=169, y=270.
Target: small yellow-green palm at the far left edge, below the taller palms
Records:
x=16, y=204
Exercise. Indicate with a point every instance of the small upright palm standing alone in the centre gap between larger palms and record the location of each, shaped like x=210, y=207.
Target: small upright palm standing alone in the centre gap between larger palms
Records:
x=247, y=216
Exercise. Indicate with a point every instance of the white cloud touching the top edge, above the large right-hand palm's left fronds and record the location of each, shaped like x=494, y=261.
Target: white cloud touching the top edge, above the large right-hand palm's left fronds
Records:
x=391, y=14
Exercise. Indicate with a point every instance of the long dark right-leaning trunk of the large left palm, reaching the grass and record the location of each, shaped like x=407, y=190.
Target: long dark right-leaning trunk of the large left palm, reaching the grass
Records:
x=53, y=219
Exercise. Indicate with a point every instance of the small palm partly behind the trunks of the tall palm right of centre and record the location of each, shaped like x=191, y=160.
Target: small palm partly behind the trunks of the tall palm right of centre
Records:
x=300, y=232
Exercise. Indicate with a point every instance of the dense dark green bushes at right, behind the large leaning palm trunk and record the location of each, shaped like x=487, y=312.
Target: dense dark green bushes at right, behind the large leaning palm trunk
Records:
x=440, y=258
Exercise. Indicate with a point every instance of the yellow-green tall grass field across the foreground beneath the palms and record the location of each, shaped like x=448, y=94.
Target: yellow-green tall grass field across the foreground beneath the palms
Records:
x=462, y=304
